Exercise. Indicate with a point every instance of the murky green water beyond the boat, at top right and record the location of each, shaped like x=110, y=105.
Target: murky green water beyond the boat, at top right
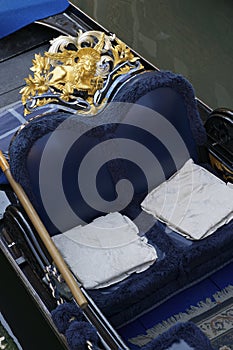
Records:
x=190, y=37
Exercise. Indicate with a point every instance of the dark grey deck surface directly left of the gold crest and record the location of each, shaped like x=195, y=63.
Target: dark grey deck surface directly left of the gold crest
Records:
x=16, y=53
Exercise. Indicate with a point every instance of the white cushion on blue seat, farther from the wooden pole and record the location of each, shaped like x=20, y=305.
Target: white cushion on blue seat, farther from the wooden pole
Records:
x=193, y=202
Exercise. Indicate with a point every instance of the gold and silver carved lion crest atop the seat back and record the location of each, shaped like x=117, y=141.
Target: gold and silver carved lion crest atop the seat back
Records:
x=78, y=73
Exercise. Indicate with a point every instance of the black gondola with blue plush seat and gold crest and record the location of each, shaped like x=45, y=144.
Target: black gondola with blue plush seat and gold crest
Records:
x=89, y=90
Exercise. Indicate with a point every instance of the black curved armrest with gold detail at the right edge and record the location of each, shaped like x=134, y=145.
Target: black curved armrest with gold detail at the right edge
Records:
x=219, y=128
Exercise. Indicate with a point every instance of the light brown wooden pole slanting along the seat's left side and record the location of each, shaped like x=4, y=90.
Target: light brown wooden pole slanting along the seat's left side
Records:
x=44, y=235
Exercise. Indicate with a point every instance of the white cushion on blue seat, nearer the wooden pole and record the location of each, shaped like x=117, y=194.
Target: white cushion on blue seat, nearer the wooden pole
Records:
x=105, y=251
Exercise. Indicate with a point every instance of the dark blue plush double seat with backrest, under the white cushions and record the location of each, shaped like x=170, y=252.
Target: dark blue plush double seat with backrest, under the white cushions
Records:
x=147, y=132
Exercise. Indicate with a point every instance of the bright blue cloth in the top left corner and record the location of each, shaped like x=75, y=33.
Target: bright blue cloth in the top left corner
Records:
x=17, y=14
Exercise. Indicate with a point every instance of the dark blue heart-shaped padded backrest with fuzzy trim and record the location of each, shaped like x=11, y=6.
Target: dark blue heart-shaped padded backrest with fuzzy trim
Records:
x=71, y=165
